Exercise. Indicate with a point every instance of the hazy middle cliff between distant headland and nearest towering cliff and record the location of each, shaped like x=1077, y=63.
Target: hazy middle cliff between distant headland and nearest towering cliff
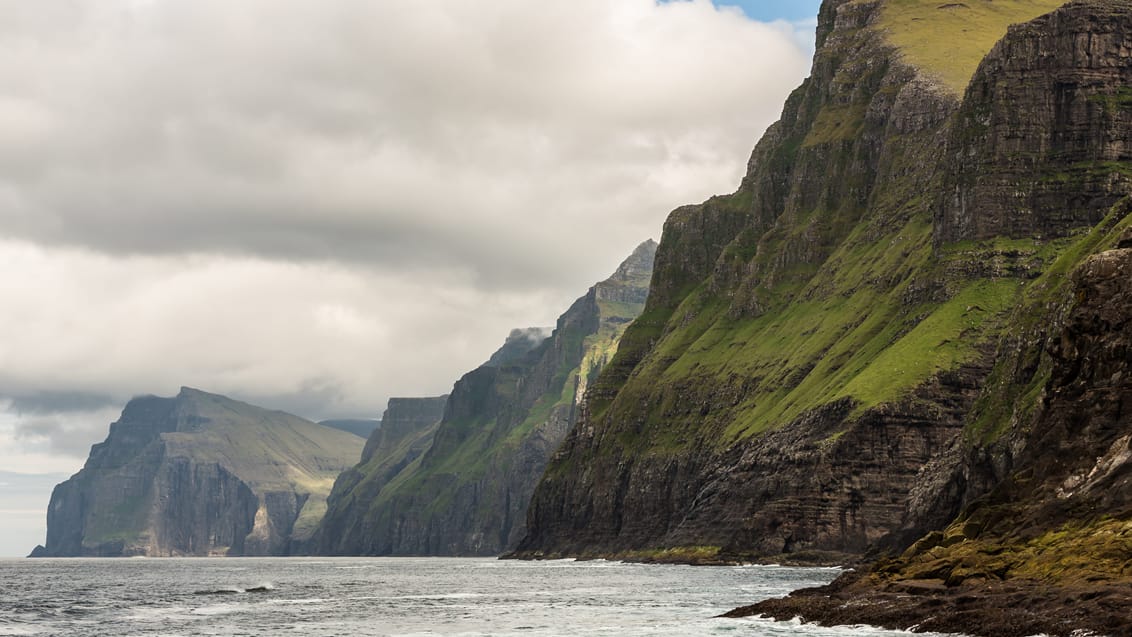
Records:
x=467, y=494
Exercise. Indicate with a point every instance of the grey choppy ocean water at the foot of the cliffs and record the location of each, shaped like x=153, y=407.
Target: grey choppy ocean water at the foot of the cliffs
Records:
x=404, y=597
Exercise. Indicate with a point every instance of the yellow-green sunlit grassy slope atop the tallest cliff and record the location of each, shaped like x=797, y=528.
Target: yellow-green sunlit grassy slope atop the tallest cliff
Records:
x=948, y=39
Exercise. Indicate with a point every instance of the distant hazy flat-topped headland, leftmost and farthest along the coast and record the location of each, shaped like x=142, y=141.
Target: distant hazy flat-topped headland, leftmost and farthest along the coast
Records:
x=199, y=475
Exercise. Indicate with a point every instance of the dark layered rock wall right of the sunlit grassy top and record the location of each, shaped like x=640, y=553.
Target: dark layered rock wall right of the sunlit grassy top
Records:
x=1042, y=144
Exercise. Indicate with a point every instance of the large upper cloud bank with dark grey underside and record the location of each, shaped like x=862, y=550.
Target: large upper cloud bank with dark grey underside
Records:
x=397, y=134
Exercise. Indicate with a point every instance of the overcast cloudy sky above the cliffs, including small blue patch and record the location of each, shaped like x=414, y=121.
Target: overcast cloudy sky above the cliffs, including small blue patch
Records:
x=314, y=206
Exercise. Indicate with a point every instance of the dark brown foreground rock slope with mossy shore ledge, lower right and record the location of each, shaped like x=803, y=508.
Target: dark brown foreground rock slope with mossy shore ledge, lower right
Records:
x=1045, y=550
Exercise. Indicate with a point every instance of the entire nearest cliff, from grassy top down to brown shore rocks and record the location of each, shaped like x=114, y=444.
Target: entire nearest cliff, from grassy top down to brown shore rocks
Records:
x=906, y=333
